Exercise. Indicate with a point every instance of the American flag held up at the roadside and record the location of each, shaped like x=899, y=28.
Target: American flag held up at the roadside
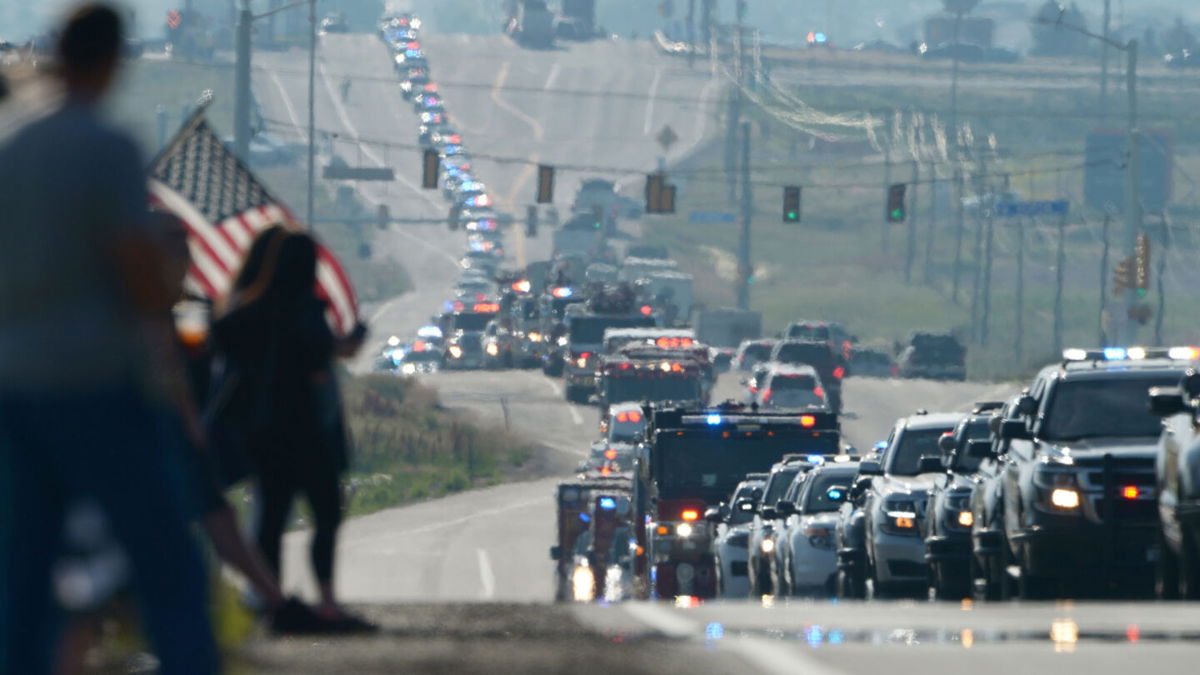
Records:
x=225, y=207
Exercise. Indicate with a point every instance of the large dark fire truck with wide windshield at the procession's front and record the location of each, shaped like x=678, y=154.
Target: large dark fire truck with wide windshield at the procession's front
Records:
x=691, y=463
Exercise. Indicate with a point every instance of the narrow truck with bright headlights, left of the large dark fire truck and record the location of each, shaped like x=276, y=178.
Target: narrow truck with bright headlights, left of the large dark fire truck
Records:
x=597, y=543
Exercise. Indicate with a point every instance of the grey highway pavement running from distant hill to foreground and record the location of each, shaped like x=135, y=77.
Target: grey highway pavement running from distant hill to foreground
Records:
x=411, y=568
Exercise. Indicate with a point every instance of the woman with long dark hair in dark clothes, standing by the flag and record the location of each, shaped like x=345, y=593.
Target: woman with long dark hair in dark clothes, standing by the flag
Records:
x=274, y=336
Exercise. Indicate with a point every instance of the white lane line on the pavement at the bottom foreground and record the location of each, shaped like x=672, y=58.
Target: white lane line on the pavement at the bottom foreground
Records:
x=769, y=656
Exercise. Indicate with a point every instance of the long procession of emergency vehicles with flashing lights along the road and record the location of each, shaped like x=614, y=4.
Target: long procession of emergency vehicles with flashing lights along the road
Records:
x=1085, y=483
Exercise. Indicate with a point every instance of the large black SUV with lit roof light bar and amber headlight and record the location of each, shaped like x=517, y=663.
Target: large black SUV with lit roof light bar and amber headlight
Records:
x=1078, y=477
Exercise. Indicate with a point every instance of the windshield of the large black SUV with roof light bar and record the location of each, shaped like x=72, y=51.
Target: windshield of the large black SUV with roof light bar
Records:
x=1108, y=408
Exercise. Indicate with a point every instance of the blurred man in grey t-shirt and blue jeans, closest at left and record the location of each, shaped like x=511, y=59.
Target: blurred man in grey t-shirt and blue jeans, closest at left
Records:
x=83, y=312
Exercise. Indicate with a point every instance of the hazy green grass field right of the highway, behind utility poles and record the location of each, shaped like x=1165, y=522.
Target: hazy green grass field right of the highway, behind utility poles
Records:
x=844, y=264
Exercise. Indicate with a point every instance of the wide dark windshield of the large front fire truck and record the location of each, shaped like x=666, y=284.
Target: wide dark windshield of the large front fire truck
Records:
x=706, y=467
